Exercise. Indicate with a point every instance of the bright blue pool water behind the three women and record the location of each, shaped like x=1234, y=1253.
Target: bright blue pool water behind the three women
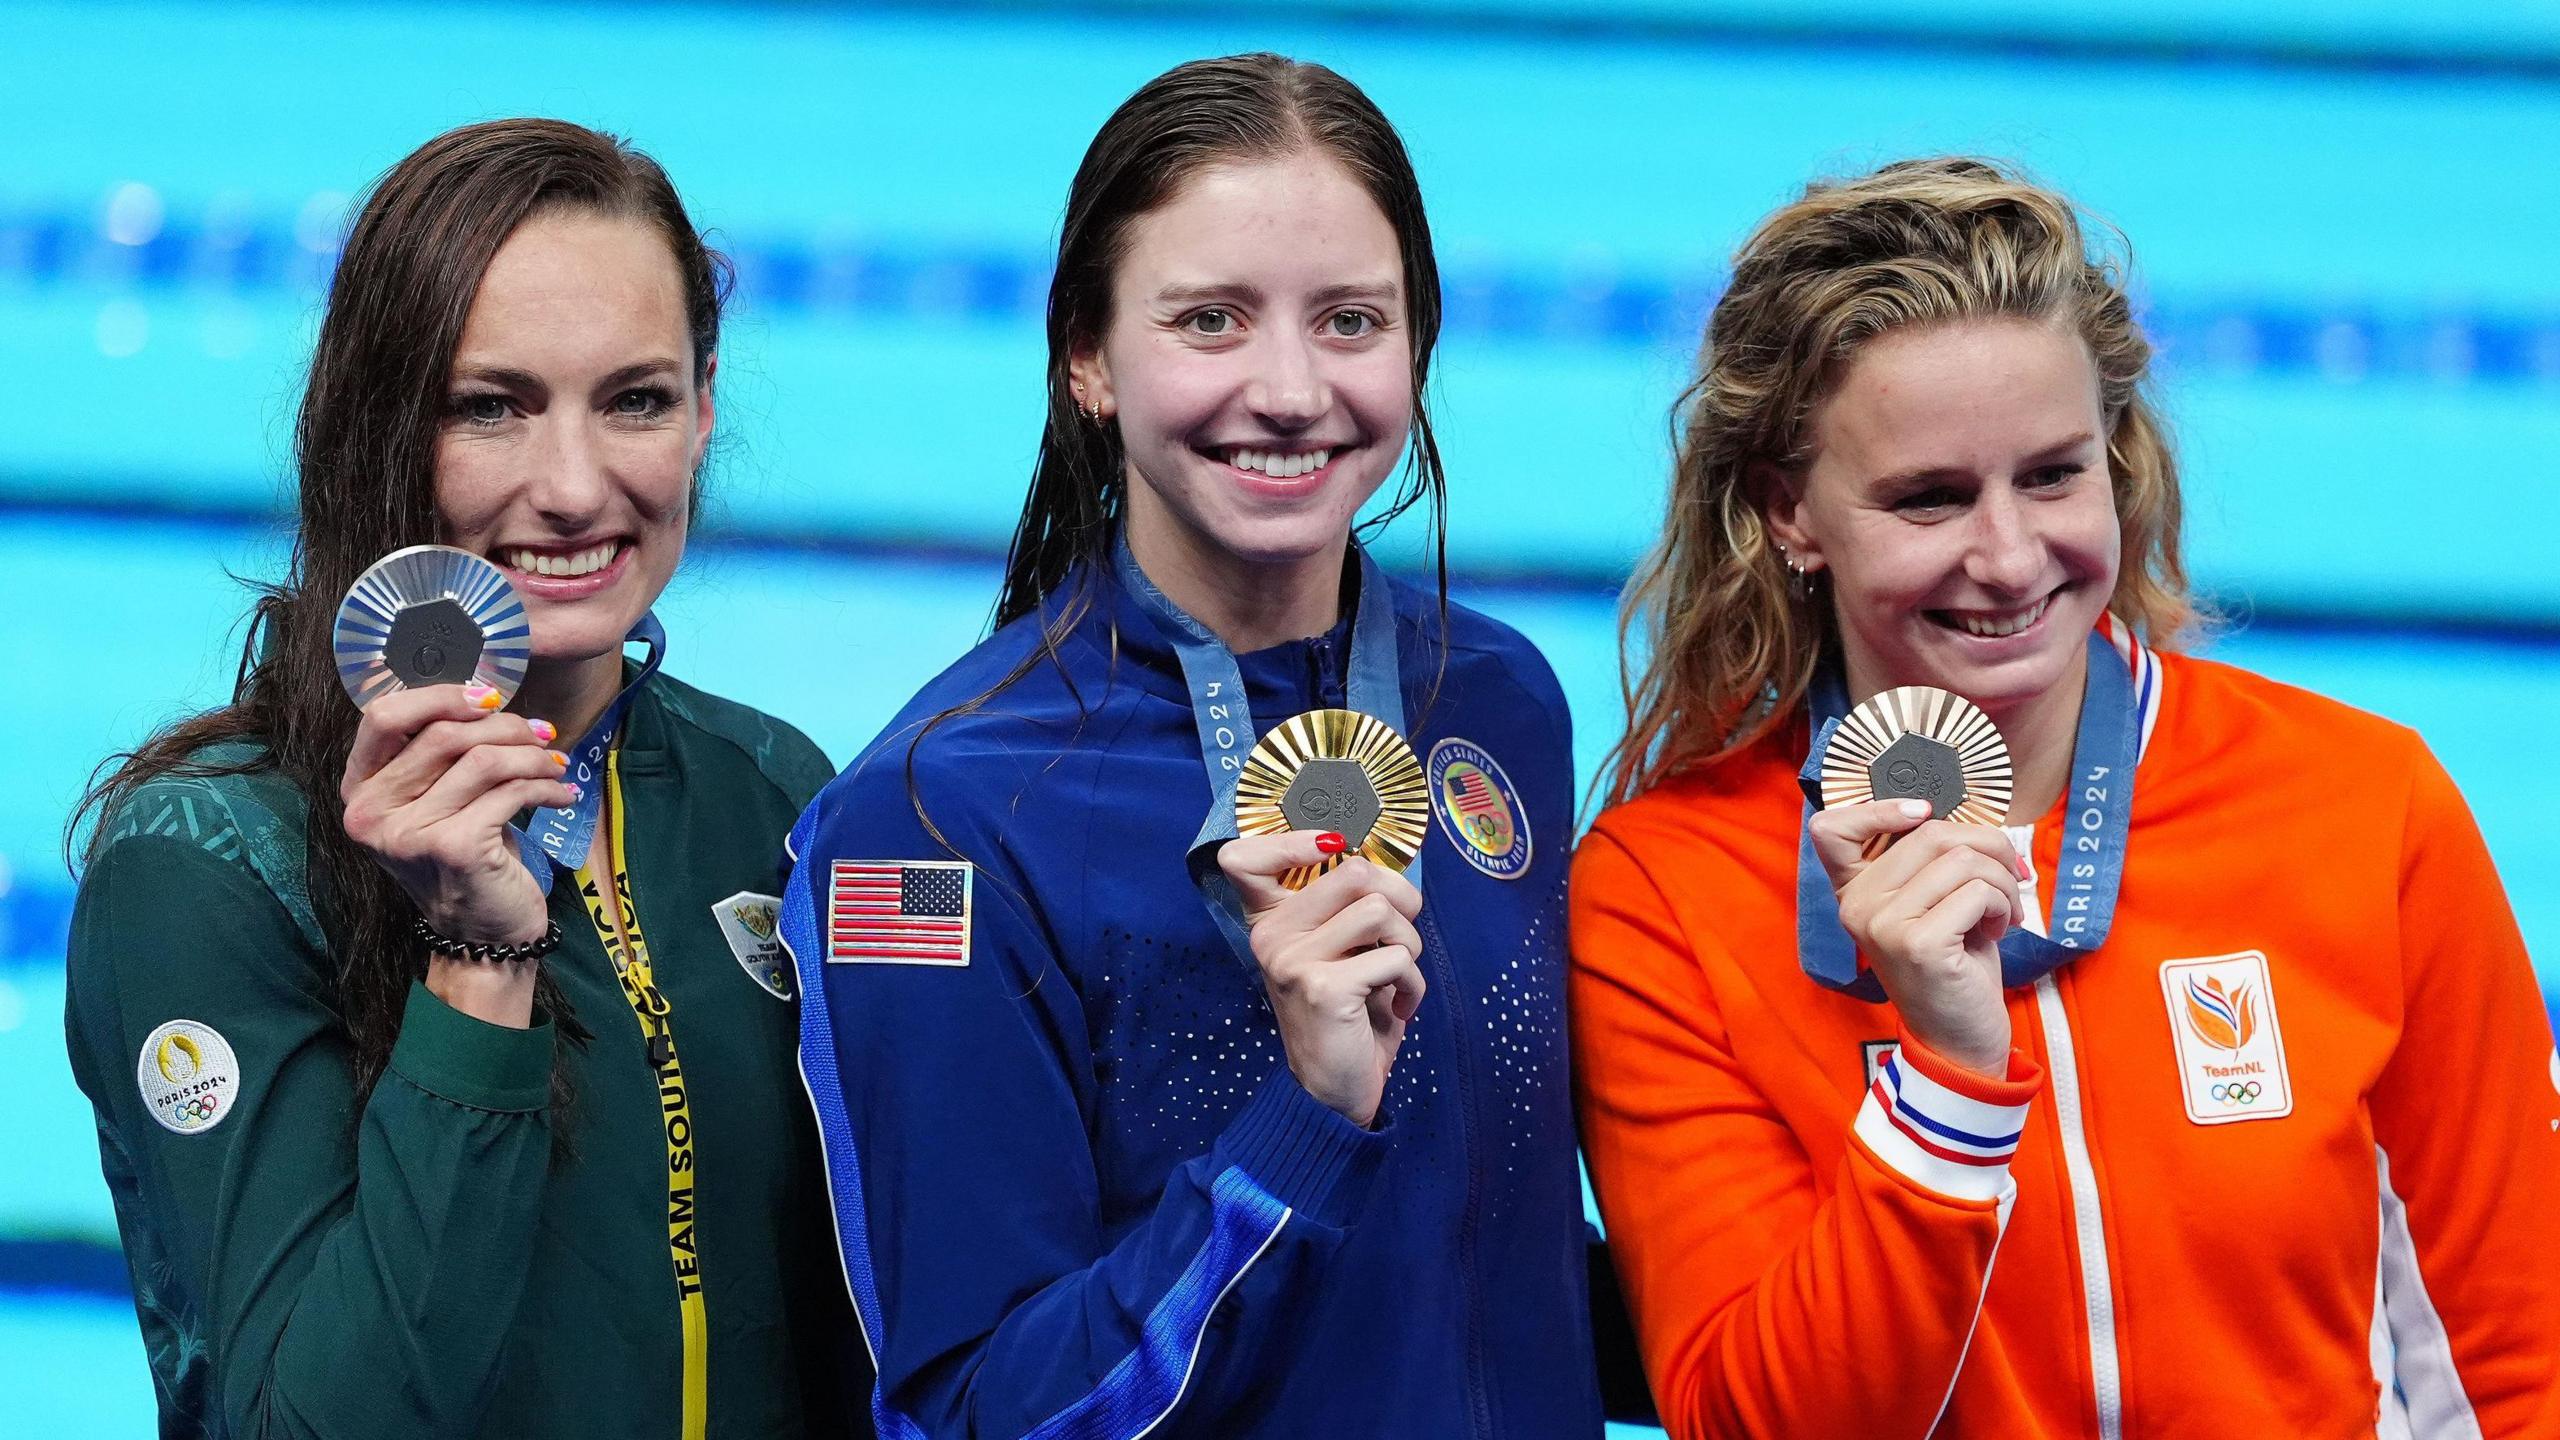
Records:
x=2341, y=222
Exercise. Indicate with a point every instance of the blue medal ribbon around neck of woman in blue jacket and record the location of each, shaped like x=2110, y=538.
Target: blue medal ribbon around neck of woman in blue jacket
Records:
x=1228, y=721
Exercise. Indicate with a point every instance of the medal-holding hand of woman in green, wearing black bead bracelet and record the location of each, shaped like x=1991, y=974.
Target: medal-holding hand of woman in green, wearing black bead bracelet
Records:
x=431, y=785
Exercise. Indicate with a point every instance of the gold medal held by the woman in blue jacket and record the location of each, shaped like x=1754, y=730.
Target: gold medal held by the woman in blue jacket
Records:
x=1343, y=773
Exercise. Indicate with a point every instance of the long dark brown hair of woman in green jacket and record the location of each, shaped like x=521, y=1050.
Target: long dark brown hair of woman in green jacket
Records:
x=365, y=462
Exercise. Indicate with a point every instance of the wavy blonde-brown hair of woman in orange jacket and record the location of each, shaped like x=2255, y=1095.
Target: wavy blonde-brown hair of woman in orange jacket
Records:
x=1727, y=655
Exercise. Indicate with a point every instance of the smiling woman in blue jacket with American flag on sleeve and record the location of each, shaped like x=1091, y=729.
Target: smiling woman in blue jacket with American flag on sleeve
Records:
x=1128, y=1136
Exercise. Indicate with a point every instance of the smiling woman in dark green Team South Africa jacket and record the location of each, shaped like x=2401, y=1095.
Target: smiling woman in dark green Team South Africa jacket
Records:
x=419, y=1129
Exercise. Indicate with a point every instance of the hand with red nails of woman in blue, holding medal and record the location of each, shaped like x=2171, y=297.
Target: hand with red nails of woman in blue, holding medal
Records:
x=1340, y=962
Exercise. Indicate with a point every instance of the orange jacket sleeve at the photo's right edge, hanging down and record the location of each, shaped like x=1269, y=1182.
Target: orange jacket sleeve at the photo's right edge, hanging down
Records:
x=2467, y=1118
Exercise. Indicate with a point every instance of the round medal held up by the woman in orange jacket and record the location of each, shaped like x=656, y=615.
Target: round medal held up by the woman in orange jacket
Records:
x=1921, y=744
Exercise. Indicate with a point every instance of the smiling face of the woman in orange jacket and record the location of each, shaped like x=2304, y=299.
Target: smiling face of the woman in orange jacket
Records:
x=1962, y=511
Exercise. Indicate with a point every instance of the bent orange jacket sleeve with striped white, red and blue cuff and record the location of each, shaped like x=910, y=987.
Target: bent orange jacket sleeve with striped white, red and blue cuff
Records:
x=1773, y=1300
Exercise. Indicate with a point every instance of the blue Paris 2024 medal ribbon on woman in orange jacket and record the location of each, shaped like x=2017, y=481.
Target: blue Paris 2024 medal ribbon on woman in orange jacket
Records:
x=2098, y=811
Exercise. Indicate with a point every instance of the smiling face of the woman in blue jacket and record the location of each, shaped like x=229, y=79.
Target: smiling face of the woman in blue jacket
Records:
x=1258, y=365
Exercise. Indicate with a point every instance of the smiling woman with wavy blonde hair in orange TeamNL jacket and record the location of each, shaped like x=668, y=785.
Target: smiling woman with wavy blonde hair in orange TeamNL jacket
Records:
x=2223, y=1047
